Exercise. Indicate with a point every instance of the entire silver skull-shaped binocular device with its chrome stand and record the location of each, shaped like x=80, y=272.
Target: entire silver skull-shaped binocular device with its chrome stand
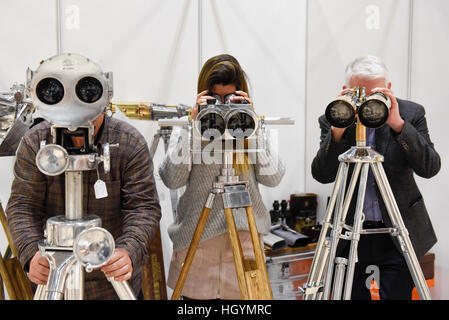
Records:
x=70, y=92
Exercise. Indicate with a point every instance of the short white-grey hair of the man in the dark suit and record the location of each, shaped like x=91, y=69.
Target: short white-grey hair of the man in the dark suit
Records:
x=368, y=67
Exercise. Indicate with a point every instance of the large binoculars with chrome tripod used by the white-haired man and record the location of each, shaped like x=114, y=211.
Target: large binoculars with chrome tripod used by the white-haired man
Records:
x=330, y=276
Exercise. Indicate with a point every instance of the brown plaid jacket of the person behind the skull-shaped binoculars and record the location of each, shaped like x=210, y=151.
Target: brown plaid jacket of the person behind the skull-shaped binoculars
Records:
x=131, y=212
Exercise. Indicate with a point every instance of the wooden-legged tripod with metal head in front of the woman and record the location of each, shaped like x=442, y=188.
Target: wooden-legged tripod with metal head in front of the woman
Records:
x=252, y=275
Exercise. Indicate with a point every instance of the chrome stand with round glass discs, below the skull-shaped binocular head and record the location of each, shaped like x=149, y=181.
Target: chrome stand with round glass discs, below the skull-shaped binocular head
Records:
x=75, y=240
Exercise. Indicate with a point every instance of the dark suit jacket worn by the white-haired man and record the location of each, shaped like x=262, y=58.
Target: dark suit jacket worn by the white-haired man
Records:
x=406, y=153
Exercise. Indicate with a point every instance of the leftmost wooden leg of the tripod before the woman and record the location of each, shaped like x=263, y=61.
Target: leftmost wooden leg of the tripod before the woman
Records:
x=192, y=248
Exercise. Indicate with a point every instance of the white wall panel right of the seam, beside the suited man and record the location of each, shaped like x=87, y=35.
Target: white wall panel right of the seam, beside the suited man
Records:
x=430, y=69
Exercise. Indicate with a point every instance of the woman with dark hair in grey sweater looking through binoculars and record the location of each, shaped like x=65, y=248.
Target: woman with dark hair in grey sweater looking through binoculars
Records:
x=212, y=274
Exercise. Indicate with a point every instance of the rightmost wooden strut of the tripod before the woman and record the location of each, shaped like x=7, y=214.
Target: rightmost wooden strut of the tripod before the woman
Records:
x=258, y=253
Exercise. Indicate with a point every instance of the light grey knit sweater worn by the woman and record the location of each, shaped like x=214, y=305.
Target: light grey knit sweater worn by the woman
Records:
x=177, y=170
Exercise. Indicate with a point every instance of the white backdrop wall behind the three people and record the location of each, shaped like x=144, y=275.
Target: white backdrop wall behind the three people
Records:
x=294, y=53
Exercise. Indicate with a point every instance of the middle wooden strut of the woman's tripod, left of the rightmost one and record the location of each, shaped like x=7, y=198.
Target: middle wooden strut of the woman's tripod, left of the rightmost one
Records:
x=237, y=253
